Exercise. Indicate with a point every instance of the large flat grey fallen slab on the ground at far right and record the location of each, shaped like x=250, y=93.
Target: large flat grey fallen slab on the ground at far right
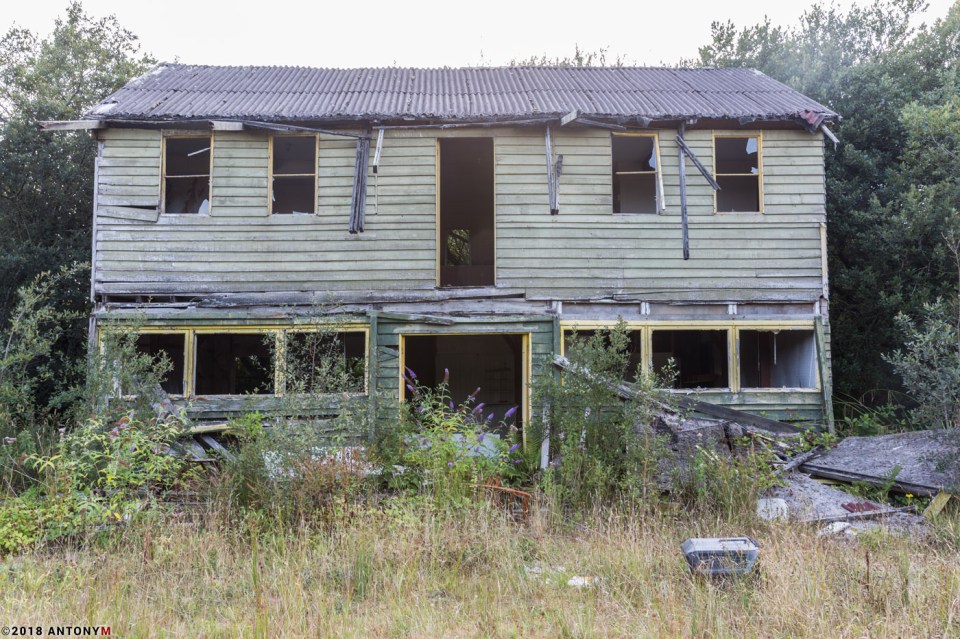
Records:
x=928, y=460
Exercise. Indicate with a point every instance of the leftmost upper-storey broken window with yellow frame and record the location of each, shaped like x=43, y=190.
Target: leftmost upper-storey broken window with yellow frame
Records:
x=186, y=174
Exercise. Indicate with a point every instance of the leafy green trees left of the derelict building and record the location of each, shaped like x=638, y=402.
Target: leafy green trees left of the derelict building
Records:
x=46, y=179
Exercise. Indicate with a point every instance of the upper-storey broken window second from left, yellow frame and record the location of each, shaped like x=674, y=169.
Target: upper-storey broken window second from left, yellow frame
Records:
x=294, y=174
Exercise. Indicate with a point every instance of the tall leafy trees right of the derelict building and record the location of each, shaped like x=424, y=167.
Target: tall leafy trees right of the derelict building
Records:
x=879, y=73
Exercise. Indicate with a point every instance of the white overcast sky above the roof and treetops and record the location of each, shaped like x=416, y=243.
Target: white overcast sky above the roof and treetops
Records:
x=411, y=33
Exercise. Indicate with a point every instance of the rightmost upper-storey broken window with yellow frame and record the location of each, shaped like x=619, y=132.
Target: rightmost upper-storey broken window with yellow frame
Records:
x=737, y=171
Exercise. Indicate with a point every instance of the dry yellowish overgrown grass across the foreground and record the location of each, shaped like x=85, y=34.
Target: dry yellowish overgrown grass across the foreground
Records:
x=402, y=570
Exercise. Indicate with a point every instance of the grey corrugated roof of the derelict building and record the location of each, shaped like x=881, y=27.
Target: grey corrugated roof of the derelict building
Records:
x=176, y=91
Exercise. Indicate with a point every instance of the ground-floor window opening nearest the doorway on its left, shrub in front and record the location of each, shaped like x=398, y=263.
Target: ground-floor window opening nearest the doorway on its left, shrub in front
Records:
x=325, y=362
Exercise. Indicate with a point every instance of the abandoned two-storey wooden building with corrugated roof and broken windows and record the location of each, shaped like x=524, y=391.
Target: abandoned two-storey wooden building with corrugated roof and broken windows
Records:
x=465, y=219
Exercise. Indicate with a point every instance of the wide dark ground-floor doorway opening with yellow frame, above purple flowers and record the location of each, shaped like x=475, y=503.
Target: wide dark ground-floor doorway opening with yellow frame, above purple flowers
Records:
x=494, y=363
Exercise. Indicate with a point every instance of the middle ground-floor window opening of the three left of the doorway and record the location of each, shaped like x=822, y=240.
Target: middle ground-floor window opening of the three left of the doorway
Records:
x=234, y=364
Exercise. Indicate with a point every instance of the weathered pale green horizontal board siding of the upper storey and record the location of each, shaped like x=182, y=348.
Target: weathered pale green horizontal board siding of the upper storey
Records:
x=585, y=250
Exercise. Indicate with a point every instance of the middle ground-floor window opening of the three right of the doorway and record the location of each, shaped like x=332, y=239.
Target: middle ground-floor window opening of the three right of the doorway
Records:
x=699, y=357
